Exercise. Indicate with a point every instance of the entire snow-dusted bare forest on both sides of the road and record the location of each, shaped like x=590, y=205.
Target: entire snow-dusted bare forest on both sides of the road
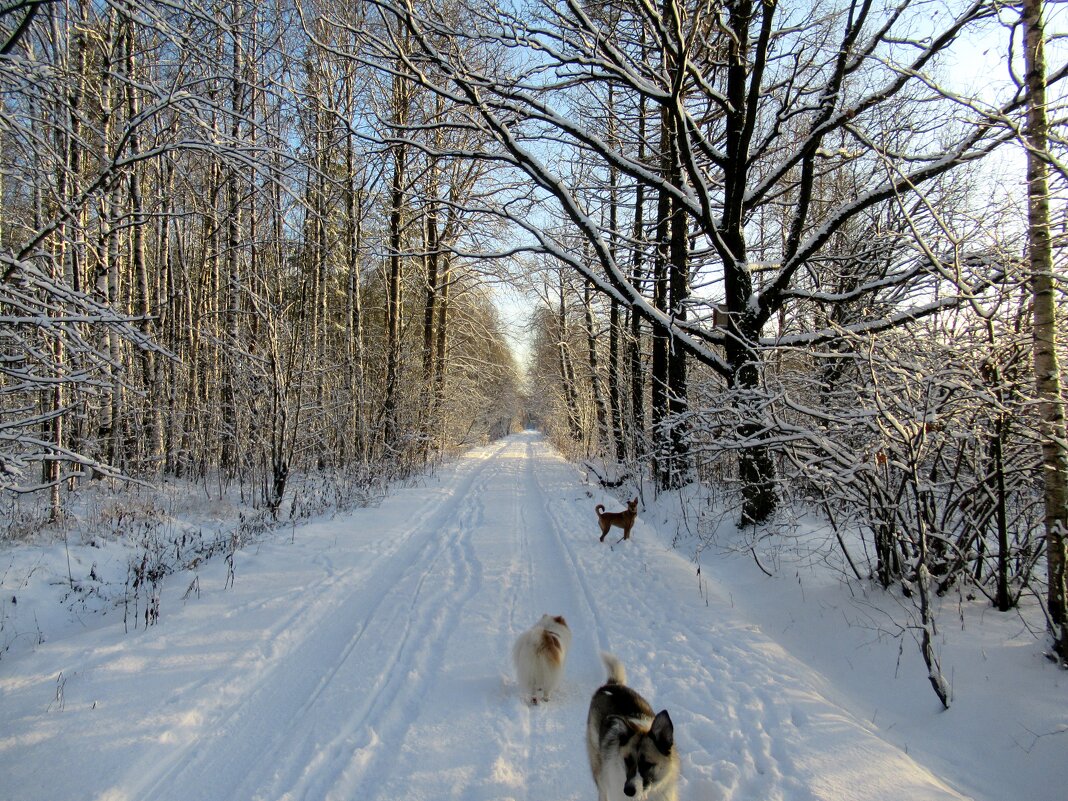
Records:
x=806, y=256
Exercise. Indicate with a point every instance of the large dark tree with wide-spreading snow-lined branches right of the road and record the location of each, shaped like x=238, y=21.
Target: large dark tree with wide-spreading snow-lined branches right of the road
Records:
x=752, y=132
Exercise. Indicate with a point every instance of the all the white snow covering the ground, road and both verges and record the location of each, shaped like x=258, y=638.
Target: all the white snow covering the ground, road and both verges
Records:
x=369, y=657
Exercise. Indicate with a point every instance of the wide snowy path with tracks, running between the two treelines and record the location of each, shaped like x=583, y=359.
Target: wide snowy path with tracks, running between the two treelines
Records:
x=370, y=659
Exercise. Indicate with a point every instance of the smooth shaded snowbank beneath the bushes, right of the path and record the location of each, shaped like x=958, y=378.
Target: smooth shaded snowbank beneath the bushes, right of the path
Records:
x=1007, y=732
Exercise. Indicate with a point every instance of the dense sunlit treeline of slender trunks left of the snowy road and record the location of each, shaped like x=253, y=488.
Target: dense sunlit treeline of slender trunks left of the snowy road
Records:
x=223, y=262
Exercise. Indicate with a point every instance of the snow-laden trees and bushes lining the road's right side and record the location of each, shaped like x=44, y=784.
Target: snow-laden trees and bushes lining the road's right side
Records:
x=780, y=252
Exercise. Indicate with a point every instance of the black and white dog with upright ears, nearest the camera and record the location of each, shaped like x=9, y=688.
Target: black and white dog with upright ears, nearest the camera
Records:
x=632, y=751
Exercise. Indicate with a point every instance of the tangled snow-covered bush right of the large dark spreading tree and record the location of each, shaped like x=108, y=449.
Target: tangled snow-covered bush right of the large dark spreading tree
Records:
x=929, y=446
